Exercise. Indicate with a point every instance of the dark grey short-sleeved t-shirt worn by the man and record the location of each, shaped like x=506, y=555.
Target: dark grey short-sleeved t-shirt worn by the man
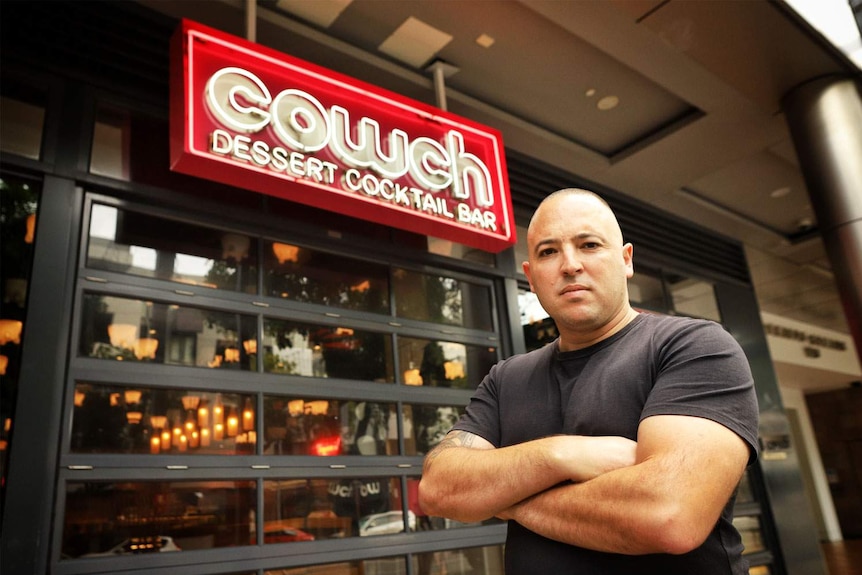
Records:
x=656, y=365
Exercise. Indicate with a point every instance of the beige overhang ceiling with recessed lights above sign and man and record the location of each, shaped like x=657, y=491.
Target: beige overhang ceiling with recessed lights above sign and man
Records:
x=697, y=129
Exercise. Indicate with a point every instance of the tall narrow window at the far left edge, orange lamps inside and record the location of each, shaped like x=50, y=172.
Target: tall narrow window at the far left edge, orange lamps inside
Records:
x=19, y=203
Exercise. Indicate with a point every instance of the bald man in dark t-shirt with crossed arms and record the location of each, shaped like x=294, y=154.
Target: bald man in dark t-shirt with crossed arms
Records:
x=616, y=449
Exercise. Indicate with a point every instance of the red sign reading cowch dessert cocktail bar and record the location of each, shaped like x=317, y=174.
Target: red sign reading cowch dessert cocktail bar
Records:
x=254, y=118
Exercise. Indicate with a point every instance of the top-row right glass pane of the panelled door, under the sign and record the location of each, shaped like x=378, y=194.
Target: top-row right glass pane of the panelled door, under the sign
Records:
x=441, y=299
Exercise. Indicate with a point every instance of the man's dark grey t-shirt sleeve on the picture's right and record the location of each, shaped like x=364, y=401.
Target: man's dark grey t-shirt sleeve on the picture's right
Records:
x=702, y=371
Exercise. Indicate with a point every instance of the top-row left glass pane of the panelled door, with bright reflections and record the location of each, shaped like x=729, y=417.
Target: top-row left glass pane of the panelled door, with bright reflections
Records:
x=144, y=245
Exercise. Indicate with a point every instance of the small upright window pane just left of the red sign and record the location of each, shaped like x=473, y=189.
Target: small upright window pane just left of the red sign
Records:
x=109, y=155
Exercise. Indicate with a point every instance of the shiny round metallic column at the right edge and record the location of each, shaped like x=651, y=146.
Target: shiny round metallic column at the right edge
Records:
x=825, y=119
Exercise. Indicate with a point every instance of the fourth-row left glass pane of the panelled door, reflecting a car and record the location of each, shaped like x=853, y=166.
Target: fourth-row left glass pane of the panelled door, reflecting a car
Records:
x=104, y=519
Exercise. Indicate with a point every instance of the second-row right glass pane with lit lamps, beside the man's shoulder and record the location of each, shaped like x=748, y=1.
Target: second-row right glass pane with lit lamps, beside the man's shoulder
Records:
x=443, y=363
